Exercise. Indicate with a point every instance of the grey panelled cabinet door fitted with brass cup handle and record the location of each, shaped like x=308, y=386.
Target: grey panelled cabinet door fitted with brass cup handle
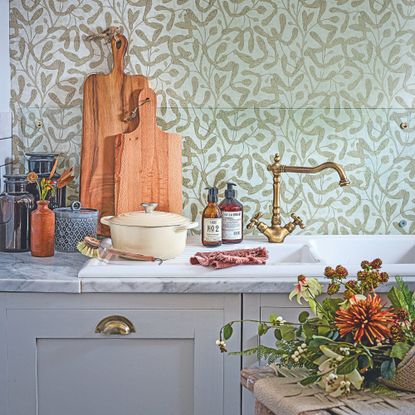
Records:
x=59, y=365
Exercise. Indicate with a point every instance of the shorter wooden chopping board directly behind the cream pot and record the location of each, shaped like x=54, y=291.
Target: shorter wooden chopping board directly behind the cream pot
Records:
x=148, y=163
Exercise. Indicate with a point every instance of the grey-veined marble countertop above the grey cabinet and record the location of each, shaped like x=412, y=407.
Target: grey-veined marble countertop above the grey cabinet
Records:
x=20, y=272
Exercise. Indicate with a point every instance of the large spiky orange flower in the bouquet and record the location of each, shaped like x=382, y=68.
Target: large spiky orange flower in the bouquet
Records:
x=365, y=320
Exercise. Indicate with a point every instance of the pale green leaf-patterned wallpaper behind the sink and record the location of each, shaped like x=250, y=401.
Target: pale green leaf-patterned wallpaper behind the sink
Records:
x=316, y=80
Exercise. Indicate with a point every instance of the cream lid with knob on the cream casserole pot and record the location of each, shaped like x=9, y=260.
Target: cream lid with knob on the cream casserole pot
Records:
x=149, y=218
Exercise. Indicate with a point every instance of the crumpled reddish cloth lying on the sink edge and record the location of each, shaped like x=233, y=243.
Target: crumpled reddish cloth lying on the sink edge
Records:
x=226, y=259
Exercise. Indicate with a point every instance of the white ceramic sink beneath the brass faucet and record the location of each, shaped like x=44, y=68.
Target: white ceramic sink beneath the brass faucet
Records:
x=299, y=254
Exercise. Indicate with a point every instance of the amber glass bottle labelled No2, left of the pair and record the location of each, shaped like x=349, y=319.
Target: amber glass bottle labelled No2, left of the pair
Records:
x=212, y=221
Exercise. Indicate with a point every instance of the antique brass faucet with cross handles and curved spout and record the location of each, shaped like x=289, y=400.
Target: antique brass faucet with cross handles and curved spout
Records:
x=277, y=233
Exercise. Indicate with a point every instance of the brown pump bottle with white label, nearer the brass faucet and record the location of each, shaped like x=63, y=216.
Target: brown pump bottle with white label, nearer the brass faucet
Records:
x=232, y=217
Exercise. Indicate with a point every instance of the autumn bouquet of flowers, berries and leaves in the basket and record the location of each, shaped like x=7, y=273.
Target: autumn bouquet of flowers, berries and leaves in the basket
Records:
x=350, y=340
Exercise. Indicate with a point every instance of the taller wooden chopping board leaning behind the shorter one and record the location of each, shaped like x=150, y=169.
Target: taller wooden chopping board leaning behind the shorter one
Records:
x=108, y=100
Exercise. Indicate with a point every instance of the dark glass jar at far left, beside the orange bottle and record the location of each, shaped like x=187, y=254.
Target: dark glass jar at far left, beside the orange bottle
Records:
x=16, y=203
